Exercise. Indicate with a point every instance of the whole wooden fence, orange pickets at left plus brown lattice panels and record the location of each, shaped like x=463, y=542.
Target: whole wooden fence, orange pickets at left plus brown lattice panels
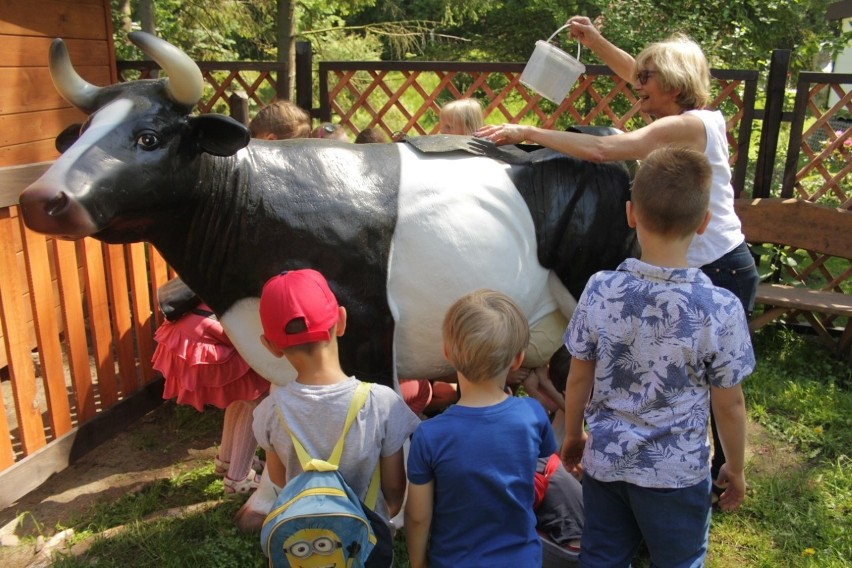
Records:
x=64, y=372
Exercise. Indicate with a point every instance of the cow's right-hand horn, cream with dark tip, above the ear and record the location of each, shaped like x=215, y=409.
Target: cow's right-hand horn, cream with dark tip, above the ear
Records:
x=185, y=82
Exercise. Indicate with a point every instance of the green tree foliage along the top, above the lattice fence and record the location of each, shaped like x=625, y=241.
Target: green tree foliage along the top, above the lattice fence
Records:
x=736, y=35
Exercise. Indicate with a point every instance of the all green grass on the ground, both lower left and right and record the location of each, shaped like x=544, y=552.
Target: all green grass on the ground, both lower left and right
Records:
x=798, y=511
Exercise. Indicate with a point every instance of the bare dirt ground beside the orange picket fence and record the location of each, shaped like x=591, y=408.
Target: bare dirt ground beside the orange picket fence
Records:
x=163, y=443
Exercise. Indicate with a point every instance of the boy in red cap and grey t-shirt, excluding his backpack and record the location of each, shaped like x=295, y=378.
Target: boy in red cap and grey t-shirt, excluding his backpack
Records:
x=301, y=321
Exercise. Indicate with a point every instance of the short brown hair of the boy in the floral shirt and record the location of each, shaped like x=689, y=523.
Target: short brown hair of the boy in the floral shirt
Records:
x=671, y=191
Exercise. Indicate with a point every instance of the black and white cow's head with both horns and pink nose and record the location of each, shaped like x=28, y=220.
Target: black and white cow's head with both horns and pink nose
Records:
x=135, y=158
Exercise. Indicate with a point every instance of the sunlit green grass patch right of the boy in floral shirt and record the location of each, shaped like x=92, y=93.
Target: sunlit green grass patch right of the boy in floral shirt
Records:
x=799, y=513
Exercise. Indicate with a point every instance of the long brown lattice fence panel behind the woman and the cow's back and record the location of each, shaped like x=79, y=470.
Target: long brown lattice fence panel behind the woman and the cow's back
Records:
x=407, y=97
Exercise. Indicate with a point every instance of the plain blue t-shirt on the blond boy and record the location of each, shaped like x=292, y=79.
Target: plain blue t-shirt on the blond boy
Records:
x=482, y=461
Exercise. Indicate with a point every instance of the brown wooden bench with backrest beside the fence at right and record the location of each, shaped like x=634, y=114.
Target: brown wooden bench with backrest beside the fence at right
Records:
x=825, y=233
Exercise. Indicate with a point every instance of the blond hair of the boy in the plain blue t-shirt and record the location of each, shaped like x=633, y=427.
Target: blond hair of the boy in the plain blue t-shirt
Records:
x=483, y=331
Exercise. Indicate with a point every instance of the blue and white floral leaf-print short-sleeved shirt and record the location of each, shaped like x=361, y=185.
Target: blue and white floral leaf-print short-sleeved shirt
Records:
x=660, y=337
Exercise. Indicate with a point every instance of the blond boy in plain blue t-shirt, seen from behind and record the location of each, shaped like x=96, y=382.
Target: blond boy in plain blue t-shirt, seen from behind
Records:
x=471, y=468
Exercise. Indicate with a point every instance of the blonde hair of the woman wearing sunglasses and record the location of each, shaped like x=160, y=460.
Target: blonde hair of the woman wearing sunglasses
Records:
x=680, y=65
